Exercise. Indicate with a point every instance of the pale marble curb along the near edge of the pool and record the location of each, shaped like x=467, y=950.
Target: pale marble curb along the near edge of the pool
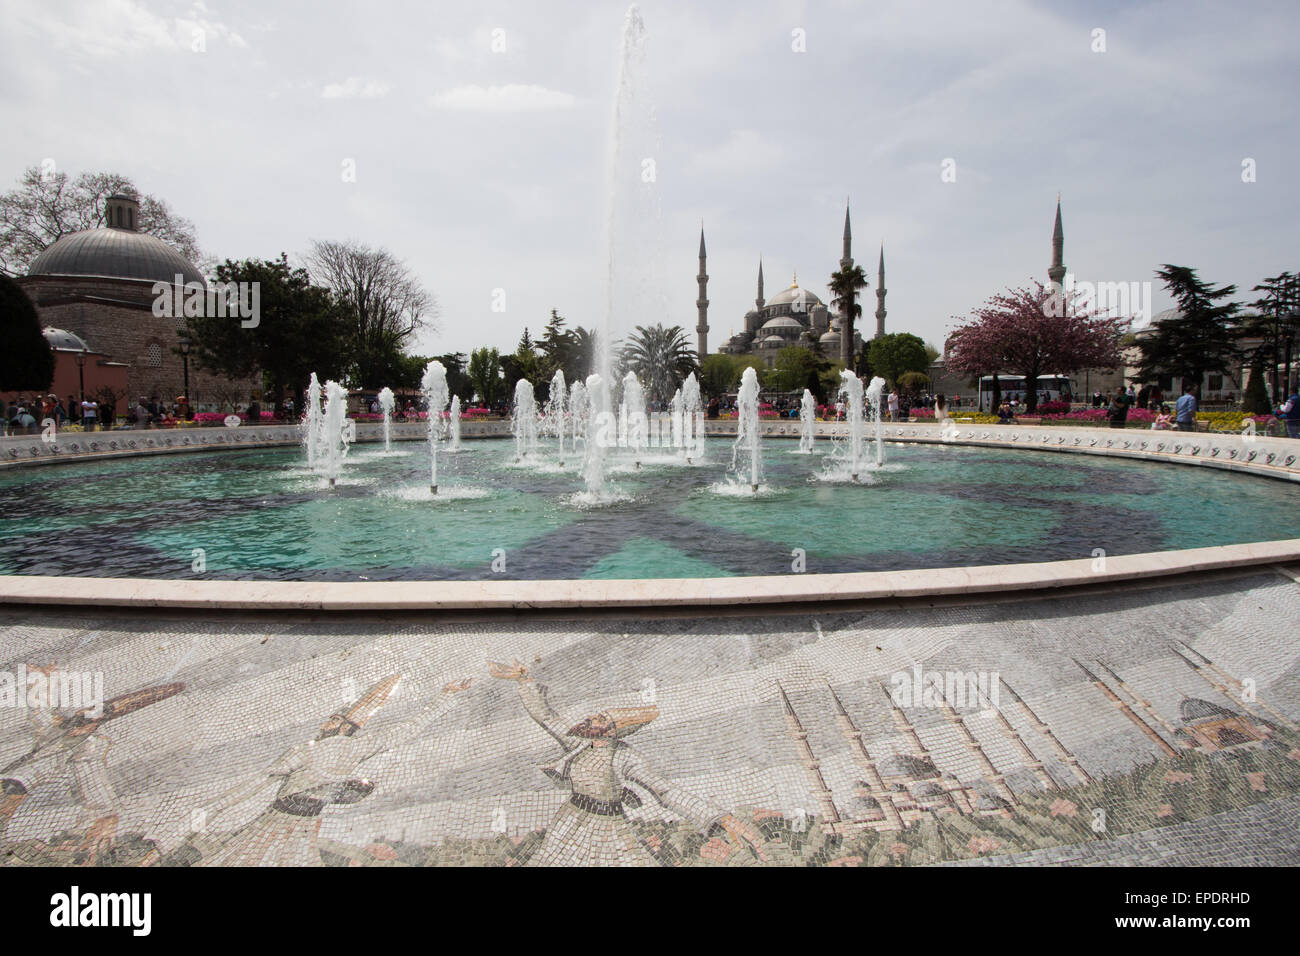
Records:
x=665, y=592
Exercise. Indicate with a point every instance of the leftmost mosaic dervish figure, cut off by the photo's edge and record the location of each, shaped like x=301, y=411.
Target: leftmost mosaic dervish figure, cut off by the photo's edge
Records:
x=75, y=750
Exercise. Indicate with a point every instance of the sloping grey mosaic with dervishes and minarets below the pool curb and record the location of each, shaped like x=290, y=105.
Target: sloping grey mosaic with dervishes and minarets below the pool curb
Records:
x=1133, y=728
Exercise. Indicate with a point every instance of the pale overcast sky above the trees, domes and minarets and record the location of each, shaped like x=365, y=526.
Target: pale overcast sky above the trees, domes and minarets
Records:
x=480, y=135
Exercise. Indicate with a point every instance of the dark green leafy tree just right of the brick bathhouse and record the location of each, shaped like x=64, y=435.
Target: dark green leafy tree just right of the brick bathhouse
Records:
x=302, y=328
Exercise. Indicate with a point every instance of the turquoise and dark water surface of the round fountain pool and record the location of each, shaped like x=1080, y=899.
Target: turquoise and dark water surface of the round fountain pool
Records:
x=262, y=516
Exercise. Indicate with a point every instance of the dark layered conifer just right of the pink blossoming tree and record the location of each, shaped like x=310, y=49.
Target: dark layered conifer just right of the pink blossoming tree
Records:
x=1201, y=339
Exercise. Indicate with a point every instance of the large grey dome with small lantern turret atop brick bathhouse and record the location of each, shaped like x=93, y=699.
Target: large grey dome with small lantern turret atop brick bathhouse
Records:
x=115, y=252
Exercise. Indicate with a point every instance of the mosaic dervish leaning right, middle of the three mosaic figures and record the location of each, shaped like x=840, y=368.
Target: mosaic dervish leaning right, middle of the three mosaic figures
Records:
x=314, y=776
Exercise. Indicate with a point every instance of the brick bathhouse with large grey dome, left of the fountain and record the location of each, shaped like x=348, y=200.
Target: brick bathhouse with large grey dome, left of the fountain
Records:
x=101, y=287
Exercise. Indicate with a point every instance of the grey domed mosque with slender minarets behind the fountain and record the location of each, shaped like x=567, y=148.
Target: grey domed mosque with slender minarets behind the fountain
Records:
x=794, y=317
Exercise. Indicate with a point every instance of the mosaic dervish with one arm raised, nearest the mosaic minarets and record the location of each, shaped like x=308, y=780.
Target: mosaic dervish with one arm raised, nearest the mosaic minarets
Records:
x=604, y=776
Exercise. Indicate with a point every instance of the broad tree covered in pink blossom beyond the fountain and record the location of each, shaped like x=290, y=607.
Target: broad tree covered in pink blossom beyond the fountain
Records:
x=1034, y=331
